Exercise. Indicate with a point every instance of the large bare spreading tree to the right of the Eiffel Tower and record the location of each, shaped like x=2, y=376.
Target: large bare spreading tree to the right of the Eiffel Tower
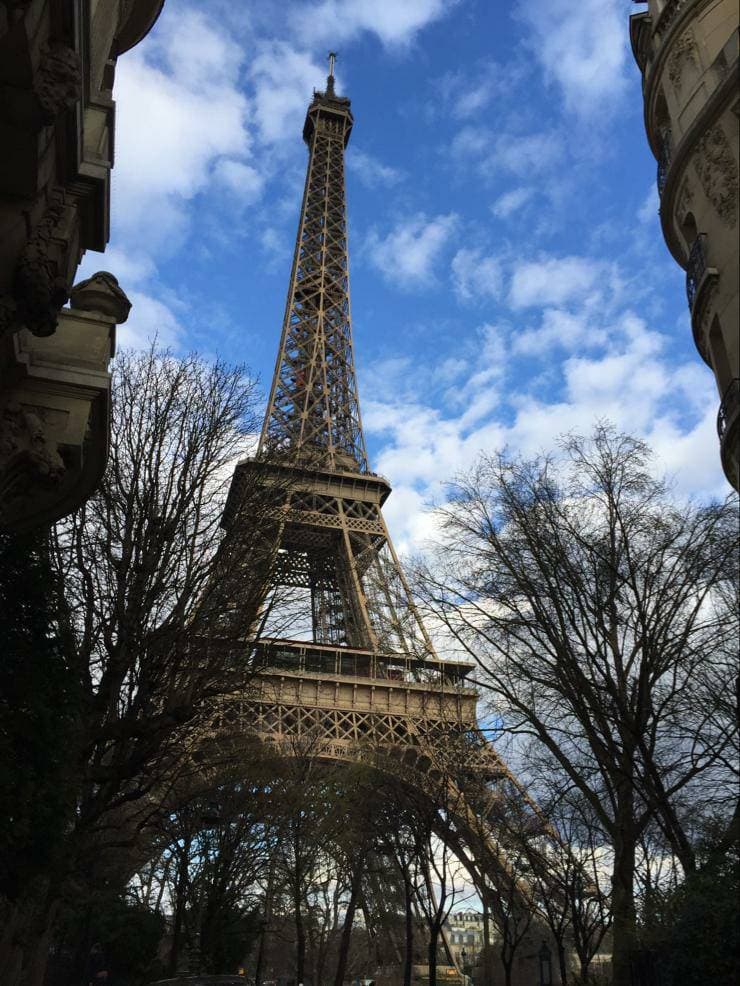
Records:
x=593, y=604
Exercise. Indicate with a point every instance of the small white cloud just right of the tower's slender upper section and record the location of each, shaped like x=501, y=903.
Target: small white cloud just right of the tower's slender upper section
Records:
x=408, y=254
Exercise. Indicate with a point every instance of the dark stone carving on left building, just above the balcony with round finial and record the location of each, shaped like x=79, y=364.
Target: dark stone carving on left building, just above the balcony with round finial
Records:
x=40, y=287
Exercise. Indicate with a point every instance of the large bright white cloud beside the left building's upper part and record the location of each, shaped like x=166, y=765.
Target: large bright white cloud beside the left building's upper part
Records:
x=176, y=115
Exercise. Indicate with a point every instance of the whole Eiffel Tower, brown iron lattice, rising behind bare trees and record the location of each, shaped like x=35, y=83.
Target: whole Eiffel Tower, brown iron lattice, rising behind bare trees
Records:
x=357, y=676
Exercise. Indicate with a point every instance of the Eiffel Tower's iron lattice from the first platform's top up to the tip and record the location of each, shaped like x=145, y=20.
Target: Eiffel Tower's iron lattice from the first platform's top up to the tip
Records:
x=334, y=545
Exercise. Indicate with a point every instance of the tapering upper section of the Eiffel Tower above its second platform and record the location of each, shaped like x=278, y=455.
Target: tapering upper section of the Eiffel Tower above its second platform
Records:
x=313, y=411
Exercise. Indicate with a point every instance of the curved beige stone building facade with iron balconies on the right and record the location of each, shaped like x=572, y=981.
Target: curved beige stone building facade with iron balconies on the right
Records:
x=687, y=51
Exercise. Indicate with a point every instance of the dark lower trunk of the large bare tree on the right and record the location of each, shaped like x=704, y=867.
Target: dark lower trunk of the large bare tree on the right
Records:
x=623, y=900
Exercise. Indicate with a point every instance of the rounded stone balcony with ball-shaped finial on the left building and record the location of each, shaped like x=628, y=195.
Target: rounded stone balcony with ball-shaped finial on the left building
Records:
x=55, y=408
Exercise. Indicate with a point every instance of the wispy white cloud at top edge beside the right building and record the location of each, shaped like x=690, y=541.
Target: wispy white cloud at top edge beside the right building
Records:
x=582, y=48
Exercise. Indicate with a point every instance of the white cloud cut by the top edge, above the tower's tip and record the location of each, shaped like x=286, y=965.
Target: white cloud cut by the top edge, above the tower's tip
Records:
x=394, y=23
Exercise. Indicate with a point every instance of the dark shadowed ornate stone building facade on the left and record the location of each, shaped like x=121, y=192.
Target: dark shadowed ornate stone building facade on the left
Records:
x=57, y=65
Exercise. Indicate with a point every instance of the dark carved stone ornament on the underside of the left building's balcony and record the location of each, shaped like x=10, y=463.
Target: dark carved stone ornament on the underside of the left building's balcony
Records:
x=28, y=458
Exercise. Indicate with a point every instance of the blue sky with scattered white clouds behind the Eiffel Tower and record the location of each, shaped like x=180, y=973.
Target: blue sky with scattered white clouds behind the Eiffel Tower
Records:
x=509, y=278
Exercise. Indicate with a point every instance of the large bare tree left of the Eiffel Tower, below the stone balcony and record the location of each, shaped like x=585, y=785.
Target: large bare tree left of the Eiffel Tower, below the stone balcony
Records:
x=155, y=603
